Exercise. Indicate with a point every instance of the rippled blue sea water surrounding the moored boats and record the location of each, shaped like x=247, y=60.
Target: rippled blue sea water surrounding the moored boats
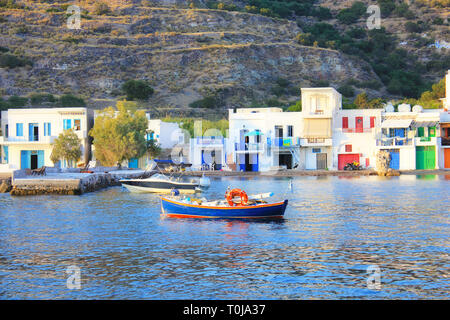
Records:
x=334, y=228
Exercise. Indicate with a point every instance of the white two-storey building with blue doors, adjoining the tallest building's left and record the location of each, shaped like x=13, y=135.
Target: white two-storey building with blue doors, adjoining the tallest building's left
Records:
x=263, y=138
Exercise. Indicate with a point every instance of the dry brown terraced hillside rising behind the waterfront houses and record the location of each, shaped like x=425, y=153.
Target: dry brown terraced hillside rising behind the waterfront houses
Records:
x=235, y=58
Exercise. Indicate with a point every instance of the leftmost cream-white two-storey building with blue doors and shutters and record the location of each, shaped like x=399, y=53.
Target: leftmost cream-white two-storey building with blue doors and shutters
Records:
x=29, y=133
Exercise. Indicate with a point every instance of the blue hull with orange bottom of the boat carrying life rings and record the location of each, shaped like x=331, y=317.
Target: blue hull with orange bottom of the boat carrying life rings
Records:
x=175, y=209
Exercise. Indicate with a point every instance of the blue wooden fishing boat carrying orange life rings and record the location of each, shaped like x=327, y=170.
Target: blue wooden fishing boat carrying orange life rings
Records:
x=248, y=207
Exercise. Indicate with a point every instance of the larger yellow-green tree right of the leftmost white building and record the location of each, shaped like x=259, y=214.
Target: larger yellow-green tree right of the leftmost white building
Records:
x=119, y=135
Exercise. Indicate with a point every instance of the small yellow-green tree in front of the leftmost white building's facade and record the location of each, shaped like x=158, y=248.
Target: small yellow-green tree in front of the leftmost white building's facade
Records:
x=66, y=147
